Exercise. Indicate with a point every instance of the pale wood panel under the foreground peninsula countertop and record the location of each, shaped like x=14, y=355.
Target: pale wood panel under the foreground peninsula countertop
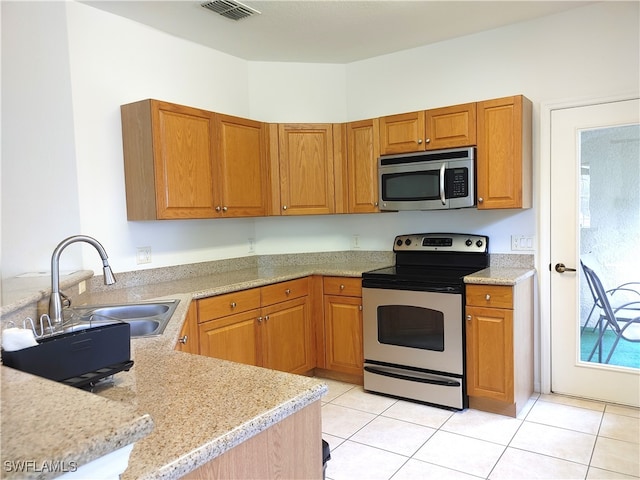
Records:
x=292, y=448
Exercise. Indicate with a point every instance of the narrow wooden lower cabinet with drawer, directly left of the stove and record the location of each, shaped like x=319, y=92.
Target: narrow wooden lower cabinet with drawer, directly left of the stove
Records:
x=343, y=325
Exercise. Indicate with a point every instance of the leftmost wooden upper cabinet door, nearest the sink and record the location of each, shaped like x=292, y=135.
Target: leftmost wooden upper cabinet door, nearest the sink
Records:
x=183, y=158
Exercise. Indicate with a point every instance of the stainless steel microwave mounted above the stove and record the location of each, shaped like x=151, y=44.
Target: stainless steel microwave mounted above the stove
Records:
x=434, y=180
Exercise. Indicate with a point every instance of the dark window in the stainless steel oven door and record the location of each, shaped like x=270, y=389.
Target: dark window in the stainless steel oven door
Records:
x=410, y=326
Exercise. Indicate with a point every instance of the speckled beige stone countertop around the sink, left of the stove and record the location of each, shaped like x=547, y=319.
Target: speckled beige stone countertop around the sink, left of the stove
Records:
x=200, y=407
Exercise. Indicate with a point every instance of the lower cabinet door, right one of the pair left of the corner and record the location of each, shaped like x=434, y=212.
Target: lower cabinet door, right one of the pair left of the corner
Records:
x=287, y=336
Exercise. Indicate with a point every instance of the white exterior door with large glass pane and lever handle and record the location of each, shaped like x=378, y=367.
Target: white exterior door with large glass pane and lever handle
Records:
x=595, y=217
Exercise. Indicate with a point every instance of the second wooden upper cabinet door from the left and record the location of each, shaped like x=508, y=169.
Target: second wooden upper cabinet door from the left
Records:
x=241, y=167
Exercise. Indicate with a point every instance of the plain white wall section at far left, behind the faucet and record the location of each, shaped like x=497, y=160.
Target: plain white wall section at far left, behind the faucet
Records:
x=39, y=177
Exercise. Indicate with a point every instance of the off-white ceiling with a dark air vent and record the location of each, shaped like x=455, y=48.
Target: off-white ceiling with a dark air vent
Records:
x=333, y=31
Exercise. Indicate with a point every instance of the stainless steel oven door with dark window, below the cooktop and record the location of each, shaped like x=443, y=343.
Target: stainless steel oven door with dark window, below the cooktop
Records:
x=414, y=329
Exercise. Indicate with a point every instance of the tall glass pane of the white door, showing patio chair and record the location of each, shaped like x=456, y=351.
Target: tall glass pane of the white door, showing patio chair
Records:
x=609, y=240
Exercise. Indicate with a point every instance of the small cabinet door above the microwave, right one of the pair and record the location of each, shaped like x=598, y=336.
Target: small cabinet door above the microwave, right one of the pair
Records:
x=451, y=127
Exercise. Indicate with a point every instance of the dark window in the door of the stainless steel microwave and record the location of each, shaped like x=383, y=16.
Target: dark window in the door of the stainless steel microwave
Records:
x=412, y=186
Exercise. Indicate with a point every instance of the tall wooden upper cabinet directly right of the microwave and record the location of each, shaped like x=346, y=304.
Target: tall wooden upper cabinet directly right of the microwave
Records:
x=504, y=166
